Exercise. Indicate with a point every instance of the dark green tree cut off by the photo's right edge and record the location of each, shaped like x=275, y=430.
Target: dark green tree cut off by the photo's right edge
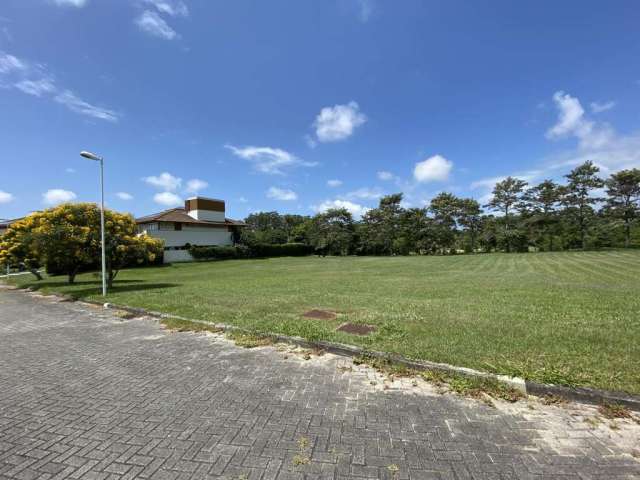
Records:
x=623, y=202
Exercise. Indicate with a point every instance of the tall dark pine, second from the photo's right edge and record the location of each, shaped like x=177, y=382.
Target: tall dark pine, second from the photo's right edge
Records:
x=578, y=198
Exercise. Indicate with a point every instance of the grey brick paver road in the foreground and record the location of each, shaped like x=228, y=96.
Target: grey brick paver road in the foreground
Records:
x=84, y=394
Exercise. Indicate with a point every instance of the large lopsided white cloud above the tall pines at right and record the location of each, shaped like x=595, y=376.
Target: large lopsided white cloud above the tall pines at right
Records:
x=572, y=122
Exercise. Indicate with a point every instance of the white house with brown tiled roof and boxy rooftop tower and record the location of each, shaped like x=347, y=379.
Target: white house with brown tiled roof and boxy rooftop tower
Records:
x=202, y=221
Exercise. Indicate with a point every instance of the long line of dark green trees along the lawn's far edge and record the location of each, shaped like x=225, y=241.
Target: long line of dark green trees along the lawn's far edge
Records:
x=584, y=212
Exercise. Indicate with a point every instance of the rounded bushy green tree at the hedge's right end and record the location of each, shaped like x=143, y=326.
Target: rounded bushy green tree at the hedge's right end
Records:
x=333, y=232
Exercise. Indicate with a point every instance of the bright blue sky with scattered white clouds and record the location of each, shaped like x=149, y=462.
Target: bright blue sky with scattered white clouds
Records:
x=301, y=105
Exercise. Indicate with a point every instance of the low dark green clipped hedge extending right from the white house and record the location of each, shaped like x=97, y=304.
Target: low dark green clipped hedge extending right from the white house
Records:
x=254, y=251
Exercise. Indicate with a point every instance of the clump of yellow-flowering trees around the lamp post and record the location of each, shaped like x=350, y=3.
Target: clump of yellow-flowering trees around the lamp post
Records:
x=67, y=239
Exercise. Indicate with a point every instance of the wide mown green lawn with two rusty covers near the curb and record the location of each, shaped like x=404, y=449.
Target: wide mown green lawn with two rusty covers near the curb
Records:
x=570, y=318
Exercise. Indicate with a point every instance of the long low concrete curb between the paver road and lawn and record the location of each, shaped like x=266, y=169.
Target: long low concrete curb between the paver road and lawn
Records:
x=586, y=395
